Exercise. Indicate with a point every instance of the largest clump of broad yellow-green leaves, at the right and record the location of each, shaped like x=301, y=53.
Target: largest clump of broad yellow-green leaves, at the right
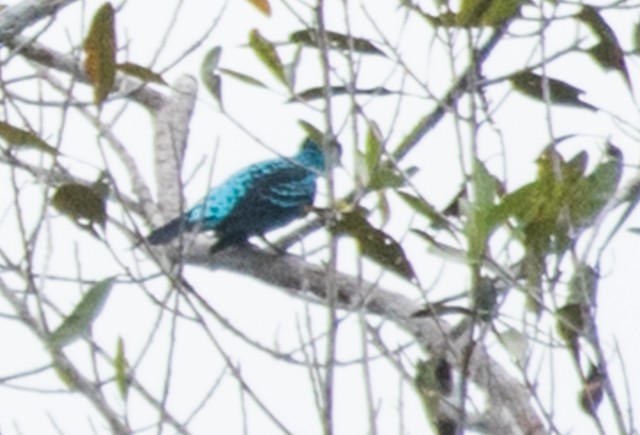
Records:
x=538, y=206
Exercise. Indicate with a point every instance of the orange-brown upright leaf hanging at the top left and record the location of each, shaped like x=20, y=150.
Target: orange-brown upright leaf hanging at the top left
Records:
x=100, y=50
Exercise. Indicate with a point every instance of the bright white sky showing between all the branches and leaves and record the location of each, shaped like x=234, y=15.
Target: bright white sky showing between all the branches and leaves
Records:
x=263, y=122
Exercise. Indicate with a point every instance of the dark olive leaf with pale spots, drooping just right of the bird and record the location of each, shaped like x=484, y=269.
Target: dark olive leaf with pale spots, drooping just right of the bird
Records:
x=374, y=244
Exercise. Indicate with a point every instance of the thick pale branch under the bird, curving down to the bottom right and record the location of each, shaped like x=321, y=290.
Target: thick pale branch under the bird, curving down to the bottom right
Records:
x=510, y=405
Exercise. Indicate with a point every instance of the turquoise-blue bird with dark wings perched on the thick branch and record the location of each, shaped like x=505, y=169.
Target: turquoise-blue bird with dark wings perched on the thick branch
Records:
x=257, y=199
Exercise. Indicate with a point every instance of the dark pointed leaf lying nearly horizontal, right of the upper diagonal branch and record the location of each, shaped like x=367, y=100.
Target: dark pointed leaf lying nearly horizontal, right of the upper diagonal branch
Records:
x=560, y=92
